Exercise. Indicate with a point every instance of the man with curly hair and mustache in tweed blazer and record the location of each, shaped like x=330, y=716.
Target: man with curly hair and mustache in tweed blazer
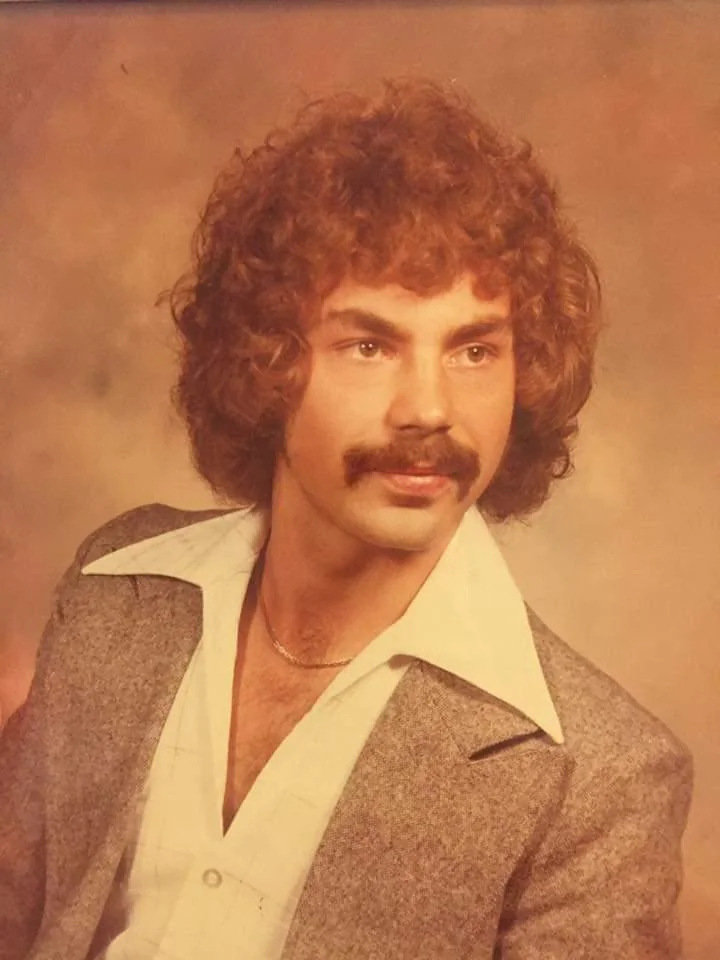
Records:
x=324, y=725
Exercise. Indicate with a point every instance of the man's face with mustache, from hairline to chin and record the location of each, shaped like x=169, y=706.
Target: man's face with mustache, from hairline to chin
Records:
x=405, y=416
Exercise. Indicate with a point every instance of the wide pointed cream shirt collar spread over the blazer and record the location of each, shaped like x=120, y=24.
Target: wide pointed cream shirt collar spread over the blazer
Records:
x=468, y=618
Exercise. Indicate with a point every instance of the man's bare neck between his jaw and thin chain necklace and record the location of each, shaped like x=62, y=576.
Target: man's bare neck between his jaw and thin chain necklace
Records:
x=328, y=594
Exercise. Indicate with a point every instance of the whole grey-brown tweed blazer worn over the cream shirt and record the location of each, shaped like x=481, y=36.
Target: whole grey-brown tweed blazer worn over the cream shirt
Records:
x=463, y=832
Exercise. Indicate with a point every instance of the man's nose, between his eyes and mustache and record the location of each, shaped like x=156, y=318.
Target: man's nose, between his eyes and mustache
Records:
x=420, y=399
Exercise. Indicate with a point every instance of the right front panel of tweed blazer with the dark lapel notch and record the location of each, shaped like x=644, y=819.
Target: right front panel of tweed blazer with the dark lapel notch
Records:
x=434, y=818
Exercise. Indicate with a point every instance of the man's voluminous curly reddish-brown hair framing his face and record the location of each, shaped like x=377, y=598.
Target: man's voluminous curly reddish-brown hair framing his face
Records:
x=410, y=187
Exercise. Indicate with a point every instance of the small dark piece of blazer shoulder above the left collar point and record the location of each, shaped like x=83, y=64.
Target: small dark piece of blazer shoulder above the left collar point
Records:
x=140, y=523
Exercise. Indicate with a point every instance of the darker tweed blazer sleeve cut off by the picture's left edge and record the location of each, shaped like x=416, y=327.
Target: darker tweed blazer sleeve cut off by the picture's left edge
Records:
x=22, y=797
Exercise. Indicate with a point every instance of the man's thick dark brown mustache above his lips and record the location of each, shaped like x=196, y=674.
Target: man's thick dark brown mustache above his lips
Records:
x=440, y=454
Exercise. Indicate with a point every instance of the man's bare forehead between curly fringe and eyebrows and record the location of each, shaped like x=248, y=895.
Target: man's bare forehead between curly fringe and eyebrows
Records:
x=462, y=303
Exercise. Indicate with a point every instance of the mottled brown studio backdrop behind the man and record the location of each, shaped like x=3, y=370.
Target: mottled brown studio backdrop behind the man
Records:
x=113, y=122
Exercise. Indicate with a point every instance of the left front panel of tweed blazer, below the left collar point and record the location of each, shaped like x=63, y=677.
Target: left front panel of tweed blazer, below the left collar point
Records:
x=110, y=717
